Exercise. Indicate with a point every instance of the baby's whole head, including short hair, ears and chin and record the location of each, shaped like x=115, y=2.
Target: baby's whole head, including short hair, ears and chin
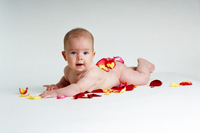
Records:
x=79, y=49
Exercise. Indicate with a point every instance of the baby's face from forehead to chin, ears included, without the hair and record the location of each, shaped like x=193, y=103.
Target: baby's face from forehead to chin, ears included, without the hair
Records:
x=79, y=54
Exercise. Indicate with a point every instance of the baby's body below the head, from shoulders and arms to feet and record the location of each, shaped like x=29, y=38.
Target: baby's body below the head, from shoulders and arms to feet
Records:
x=96, y=78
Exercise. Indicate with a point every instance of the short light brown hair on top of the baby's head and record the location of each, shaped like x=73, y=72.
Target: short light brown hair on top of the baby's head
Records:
x=78, y=32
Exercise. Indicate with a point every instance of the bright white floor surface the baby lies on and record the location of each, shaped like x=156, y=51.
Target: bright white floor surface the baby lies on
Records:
x=161, y=109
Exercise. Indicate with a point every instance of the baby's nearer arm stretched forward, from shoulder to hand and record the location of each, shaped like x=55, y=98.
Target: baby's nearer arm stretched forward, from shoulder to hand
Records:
x=86, y=82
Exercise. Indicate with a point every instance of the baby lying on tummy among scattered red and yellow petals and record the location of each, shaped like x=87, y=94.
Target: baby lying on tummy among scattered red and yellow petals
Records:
x=81, y=74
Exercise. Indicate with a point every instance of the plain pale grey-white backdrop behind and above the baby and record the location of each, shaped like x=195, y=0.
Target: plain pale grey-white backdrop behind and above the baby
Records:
x=166, y=32
